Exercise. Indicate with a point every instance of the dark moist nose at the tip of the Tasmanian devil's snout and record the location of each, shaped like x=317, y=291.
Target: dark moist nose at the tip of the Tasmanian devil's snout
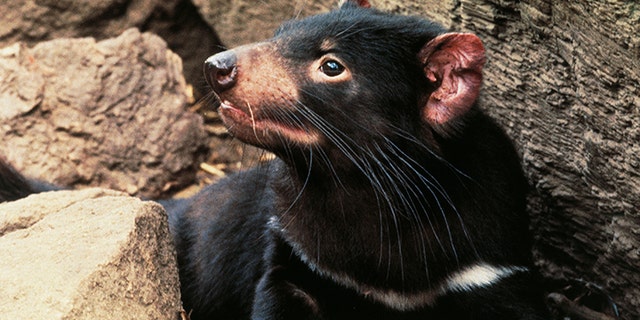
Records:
x=220, y=70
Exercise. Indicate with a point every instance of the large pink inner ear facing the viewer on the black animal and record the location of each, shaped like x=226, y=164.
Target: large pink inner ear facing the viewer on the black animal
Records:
x=453, y=62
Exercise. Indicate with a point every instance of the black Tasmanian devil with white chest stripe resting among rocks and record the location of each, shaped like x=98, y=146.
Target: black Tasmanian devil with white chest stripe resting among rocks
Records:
x=392, y=195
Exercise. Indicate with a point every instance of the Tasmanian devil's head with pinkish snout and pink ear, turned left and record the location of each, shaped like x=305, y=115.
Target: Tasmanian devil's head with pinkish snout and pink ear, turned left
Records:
x=348, y=77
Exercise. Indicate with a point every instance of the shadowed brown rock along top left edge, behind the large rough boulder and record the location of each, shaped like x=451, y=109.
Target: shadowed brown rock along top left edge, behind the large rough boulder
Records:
x=177, y=21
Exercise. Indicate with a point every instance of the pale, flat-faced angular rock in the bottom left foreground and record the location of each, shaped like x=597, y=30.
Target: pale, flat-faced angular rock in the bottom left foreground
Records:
x=91, y=254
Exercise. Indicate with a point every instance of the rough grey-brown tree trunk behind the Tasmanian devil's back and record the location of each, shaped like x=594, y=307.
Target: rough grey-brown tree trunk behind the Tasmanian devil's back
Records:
x=563, y=78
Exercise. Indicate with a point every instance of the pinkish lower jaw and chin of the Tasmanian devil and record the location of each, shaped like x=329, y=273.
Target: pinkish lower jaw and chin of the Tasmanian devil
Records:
x=255, y=129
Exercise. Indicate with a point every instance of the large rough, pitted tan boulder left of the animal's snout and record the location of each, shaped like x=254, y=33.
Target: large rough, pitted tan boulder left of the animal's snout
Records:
x=77, y=112
